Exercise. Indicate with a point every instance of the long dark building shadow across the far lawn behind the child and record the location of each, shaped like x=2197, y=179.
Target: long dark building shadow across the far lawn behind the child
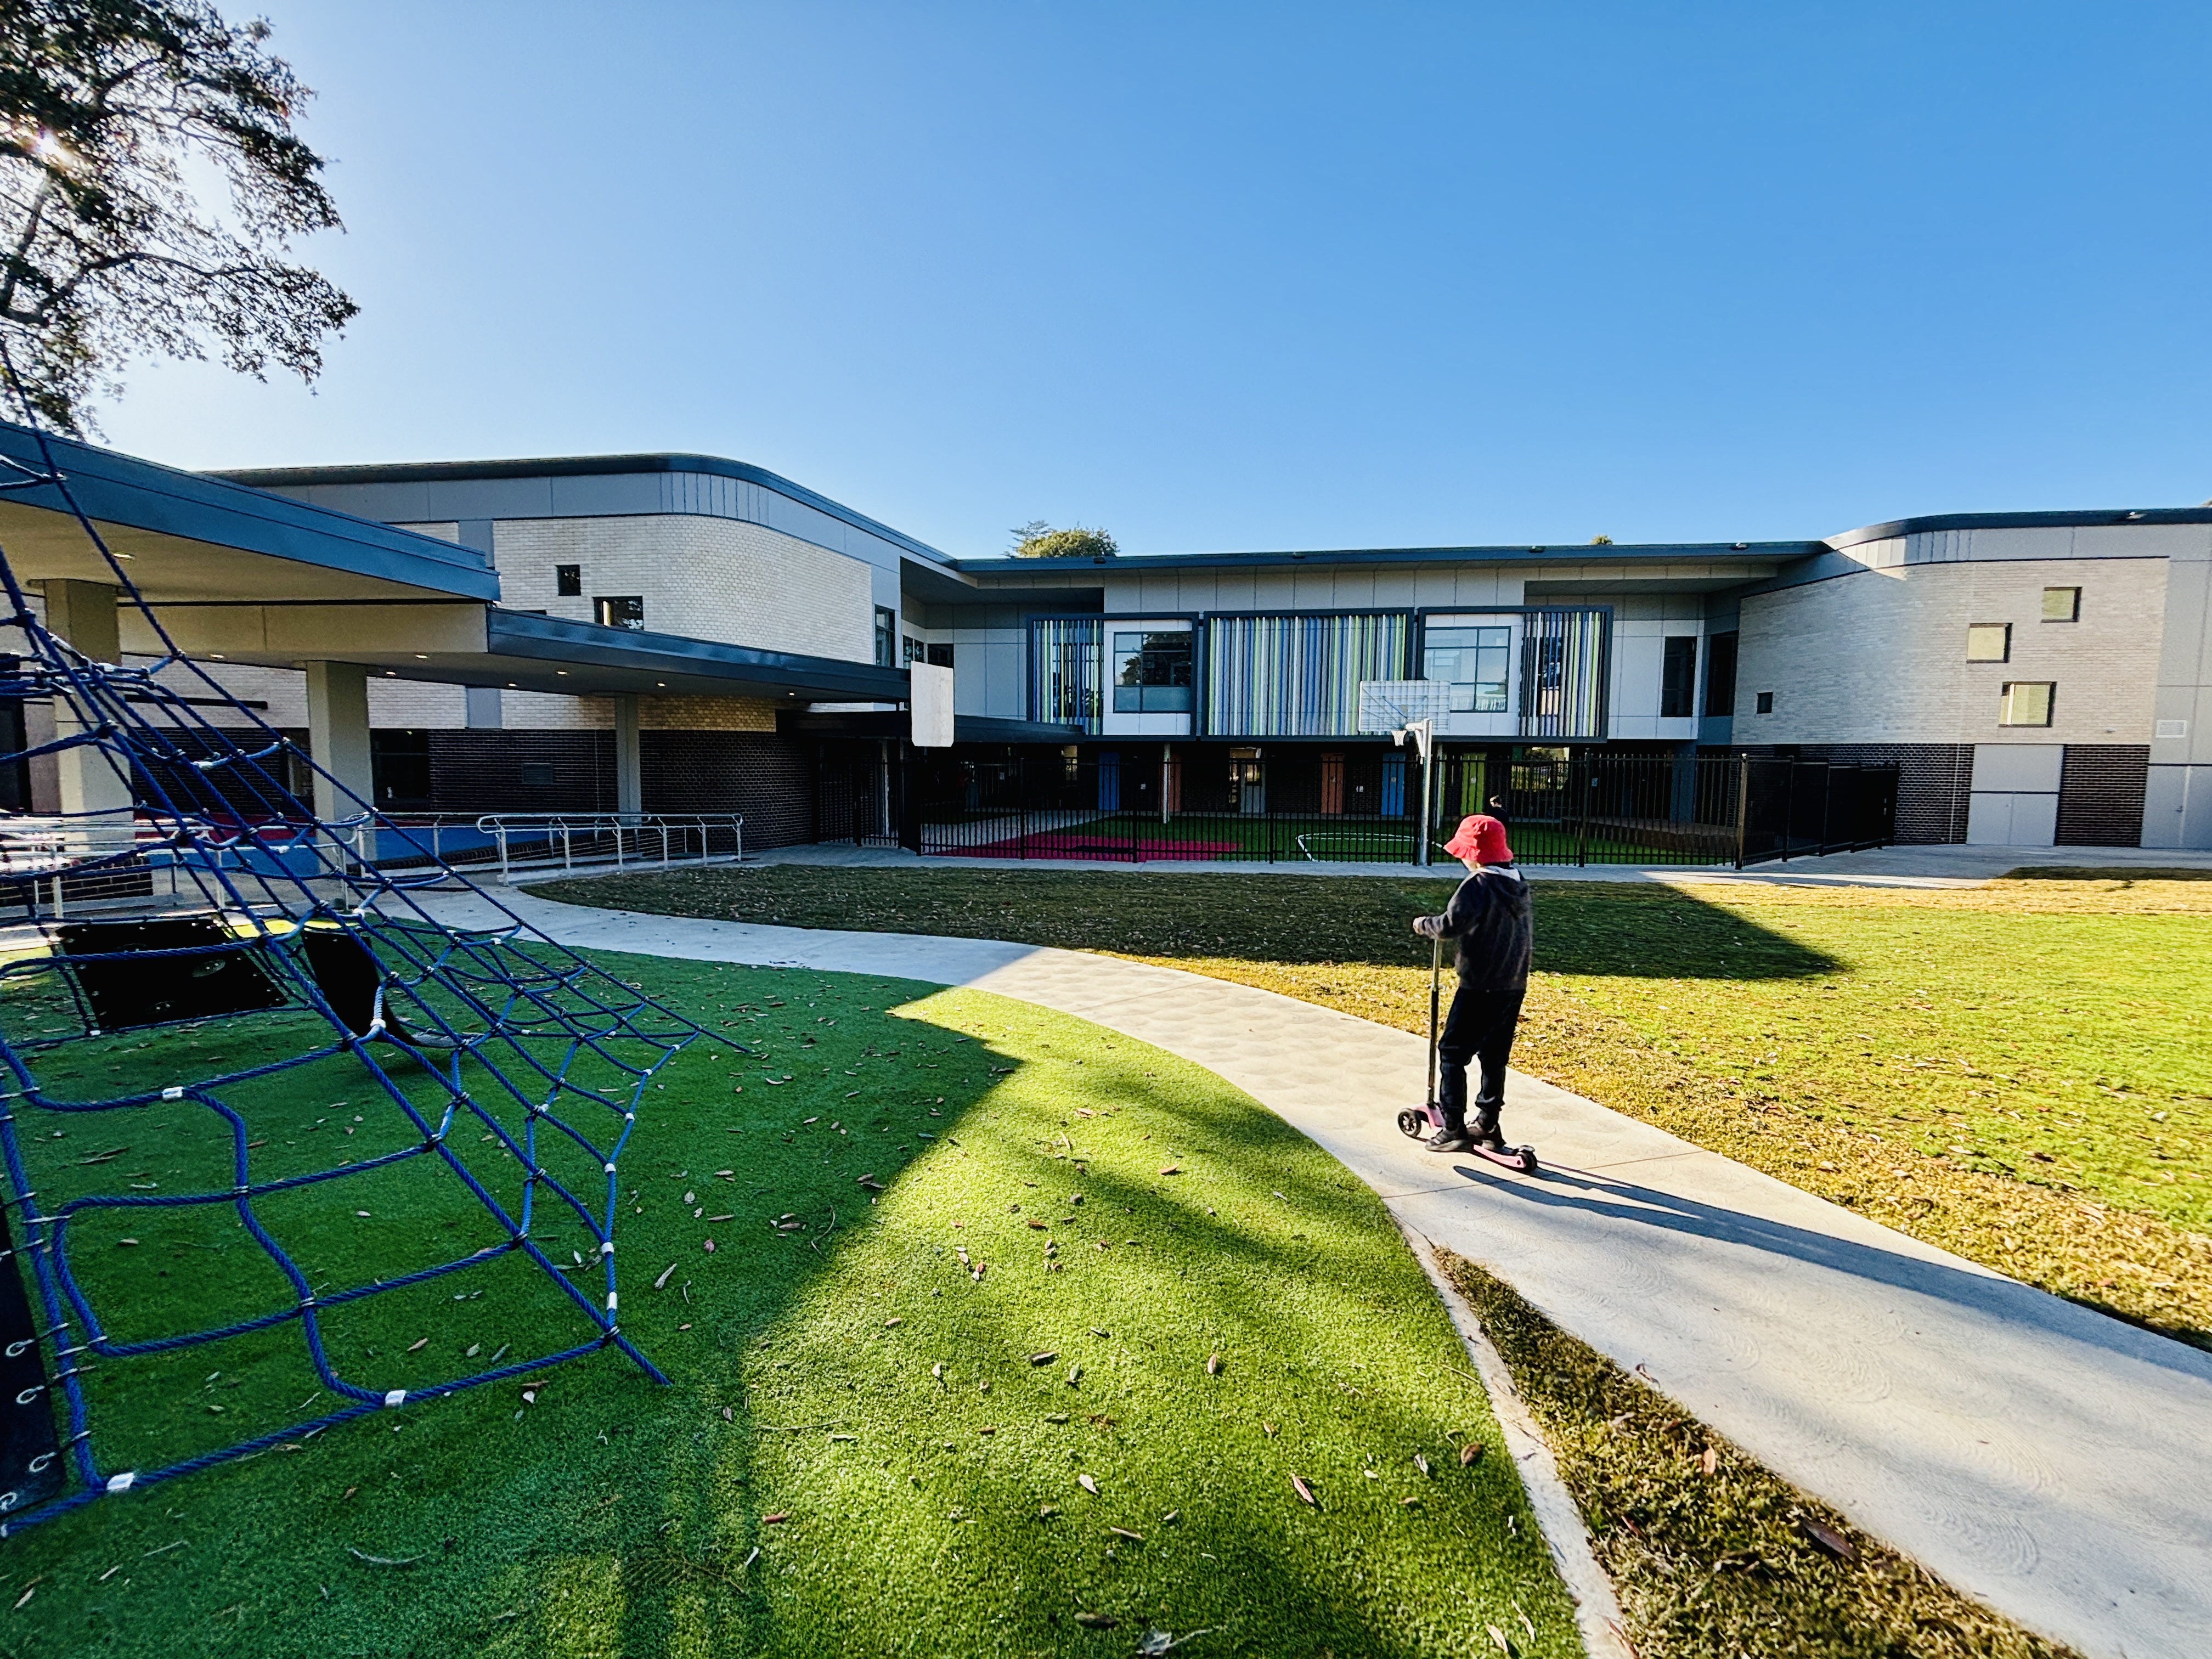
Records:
x=1642, y=930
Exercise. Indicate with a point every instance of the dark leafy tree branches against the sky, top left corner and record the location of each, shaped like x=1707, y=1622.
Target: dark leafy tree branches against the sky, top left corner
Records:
x=114, y=118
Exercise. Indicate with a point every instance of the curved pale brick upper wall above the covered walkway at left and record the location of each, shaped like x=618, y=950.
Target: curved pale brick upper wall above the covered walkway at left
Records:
x=709, y=578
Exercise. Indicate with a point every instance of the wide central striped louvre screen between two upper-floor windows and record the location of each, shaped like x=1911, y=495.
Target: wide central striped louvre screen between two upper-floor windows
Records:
x=1300, y=676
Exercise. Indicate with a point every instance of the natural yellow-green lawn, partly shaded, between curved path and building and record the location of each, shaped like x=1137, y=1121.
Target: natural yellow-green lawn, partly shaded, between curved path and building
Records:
x=2021, y=1074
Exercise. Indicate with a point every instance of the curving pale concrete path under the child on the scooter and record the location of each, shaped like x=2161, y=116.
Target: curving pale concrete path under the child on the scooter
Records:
x=2043, y=1459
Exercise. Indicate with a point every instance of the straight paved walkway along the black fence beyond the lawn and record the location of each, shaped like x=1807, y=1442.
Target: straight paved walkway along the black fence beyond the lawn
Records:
x=1879, y=868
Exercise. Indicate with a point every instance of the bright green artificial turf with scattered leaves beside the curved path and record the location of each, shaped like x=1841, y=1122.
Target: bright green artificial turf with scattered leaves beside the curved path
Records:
x=842, y=1375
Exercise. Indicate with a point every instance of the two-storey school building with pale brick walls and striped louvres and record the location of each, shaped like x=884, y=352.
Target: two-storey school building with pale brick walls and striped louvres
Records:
x=685, y=634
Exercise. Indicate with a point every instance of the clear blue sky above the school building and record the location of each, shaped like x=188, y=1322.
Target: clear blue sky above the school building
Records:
x=1275, y=275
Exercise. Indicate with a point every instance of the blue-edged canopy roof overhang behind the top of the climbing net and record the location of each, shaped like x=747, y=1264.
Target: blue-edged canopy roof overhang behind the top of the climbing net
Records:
x=185, y=536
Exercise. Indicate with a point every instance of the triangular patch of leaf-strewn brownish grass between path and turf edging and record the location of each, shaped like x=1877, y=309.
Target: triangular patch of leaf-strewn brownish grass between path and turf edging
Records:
x=1711, y=1554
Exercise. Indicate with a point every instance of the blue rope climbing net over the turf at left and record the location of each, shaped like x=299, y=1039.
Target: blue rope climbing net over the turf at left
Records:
x=337, y=1114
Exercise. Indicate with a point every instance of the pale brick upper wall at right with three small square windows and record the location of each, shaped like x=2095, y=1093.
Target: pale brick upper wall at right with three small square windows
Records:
x=1881, y=656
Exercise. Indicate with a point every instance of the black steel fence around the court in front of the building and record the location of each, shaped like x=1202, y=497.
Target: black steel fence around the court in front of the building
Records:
x=1302, y=806
